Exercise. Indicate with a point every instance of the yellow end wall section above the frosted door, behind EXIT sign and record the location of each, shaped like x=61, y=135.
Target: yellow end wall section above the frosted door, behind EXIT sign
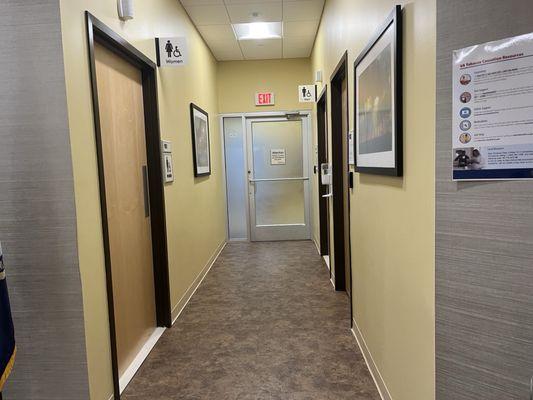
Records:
x=238, y=81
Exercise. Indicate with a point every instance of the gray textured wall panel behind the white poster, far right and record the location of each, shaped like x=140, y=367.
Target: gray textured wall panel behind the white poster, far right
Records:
x=484, y=237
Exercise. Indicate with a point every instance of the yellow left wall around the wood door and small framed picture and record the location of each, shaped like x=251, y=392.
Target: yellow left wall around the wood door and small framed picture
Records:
x=194, y=207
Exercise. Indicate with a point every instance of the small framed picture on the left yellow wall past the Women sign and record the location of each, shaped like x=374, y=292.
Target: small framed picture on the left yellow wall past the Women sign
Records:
x=200, y=141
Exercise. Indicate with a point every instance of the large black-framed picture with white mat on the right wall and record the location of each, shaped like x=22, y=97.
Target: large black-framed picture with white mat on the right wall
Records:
x=378, y=144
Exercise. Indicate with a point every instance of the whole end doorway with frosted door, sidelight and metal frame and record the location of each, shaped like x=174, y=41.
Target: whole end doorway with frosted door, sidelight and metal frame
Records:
x=267, y=176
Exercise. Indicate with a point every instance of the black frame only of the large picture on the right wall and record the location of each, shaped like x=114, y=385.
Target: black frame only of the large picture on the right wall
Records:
x=394, y=22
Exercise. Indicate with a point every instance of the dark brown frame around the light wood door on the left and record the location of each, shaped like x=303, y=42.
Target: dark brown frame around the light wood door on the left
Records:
x=99, y=33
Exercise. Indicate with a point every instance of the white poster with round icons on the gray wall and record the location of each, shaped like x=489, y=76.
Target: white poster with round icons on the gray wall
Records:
x=492, y=128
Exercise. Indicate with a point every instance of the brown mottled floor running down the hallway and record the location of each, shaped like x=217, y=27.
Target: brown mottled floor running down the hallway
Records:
x=265, y=324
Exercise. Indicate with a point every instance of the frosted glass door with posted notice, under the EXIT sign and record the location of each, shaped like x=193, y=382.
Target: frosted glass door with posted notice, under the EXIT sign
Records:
x=278, y=179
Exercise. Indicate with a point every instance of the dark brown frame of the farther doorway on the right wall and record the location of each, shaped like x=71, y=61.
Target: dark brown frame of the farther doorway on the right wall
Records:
x=322, y=141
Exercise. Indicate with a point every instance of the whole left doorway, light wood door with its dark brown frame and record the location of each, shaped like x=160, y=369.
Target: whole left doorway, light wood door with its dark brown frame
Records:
x=131, y=197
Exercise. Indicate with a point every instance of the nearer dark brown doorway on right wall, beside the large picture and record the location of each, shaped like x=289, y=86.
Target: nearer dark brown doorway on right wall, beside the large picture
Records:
x=341, y=174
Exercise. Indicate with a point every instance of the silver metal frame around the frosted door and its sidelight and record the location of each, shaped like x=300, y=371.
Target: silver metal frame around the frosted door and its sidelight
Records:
x=306, y=116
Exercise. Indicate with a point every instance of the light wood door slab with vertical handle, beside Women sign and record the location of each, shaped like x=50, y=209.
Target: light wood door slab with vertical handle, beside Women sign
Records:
x=120, y=99
